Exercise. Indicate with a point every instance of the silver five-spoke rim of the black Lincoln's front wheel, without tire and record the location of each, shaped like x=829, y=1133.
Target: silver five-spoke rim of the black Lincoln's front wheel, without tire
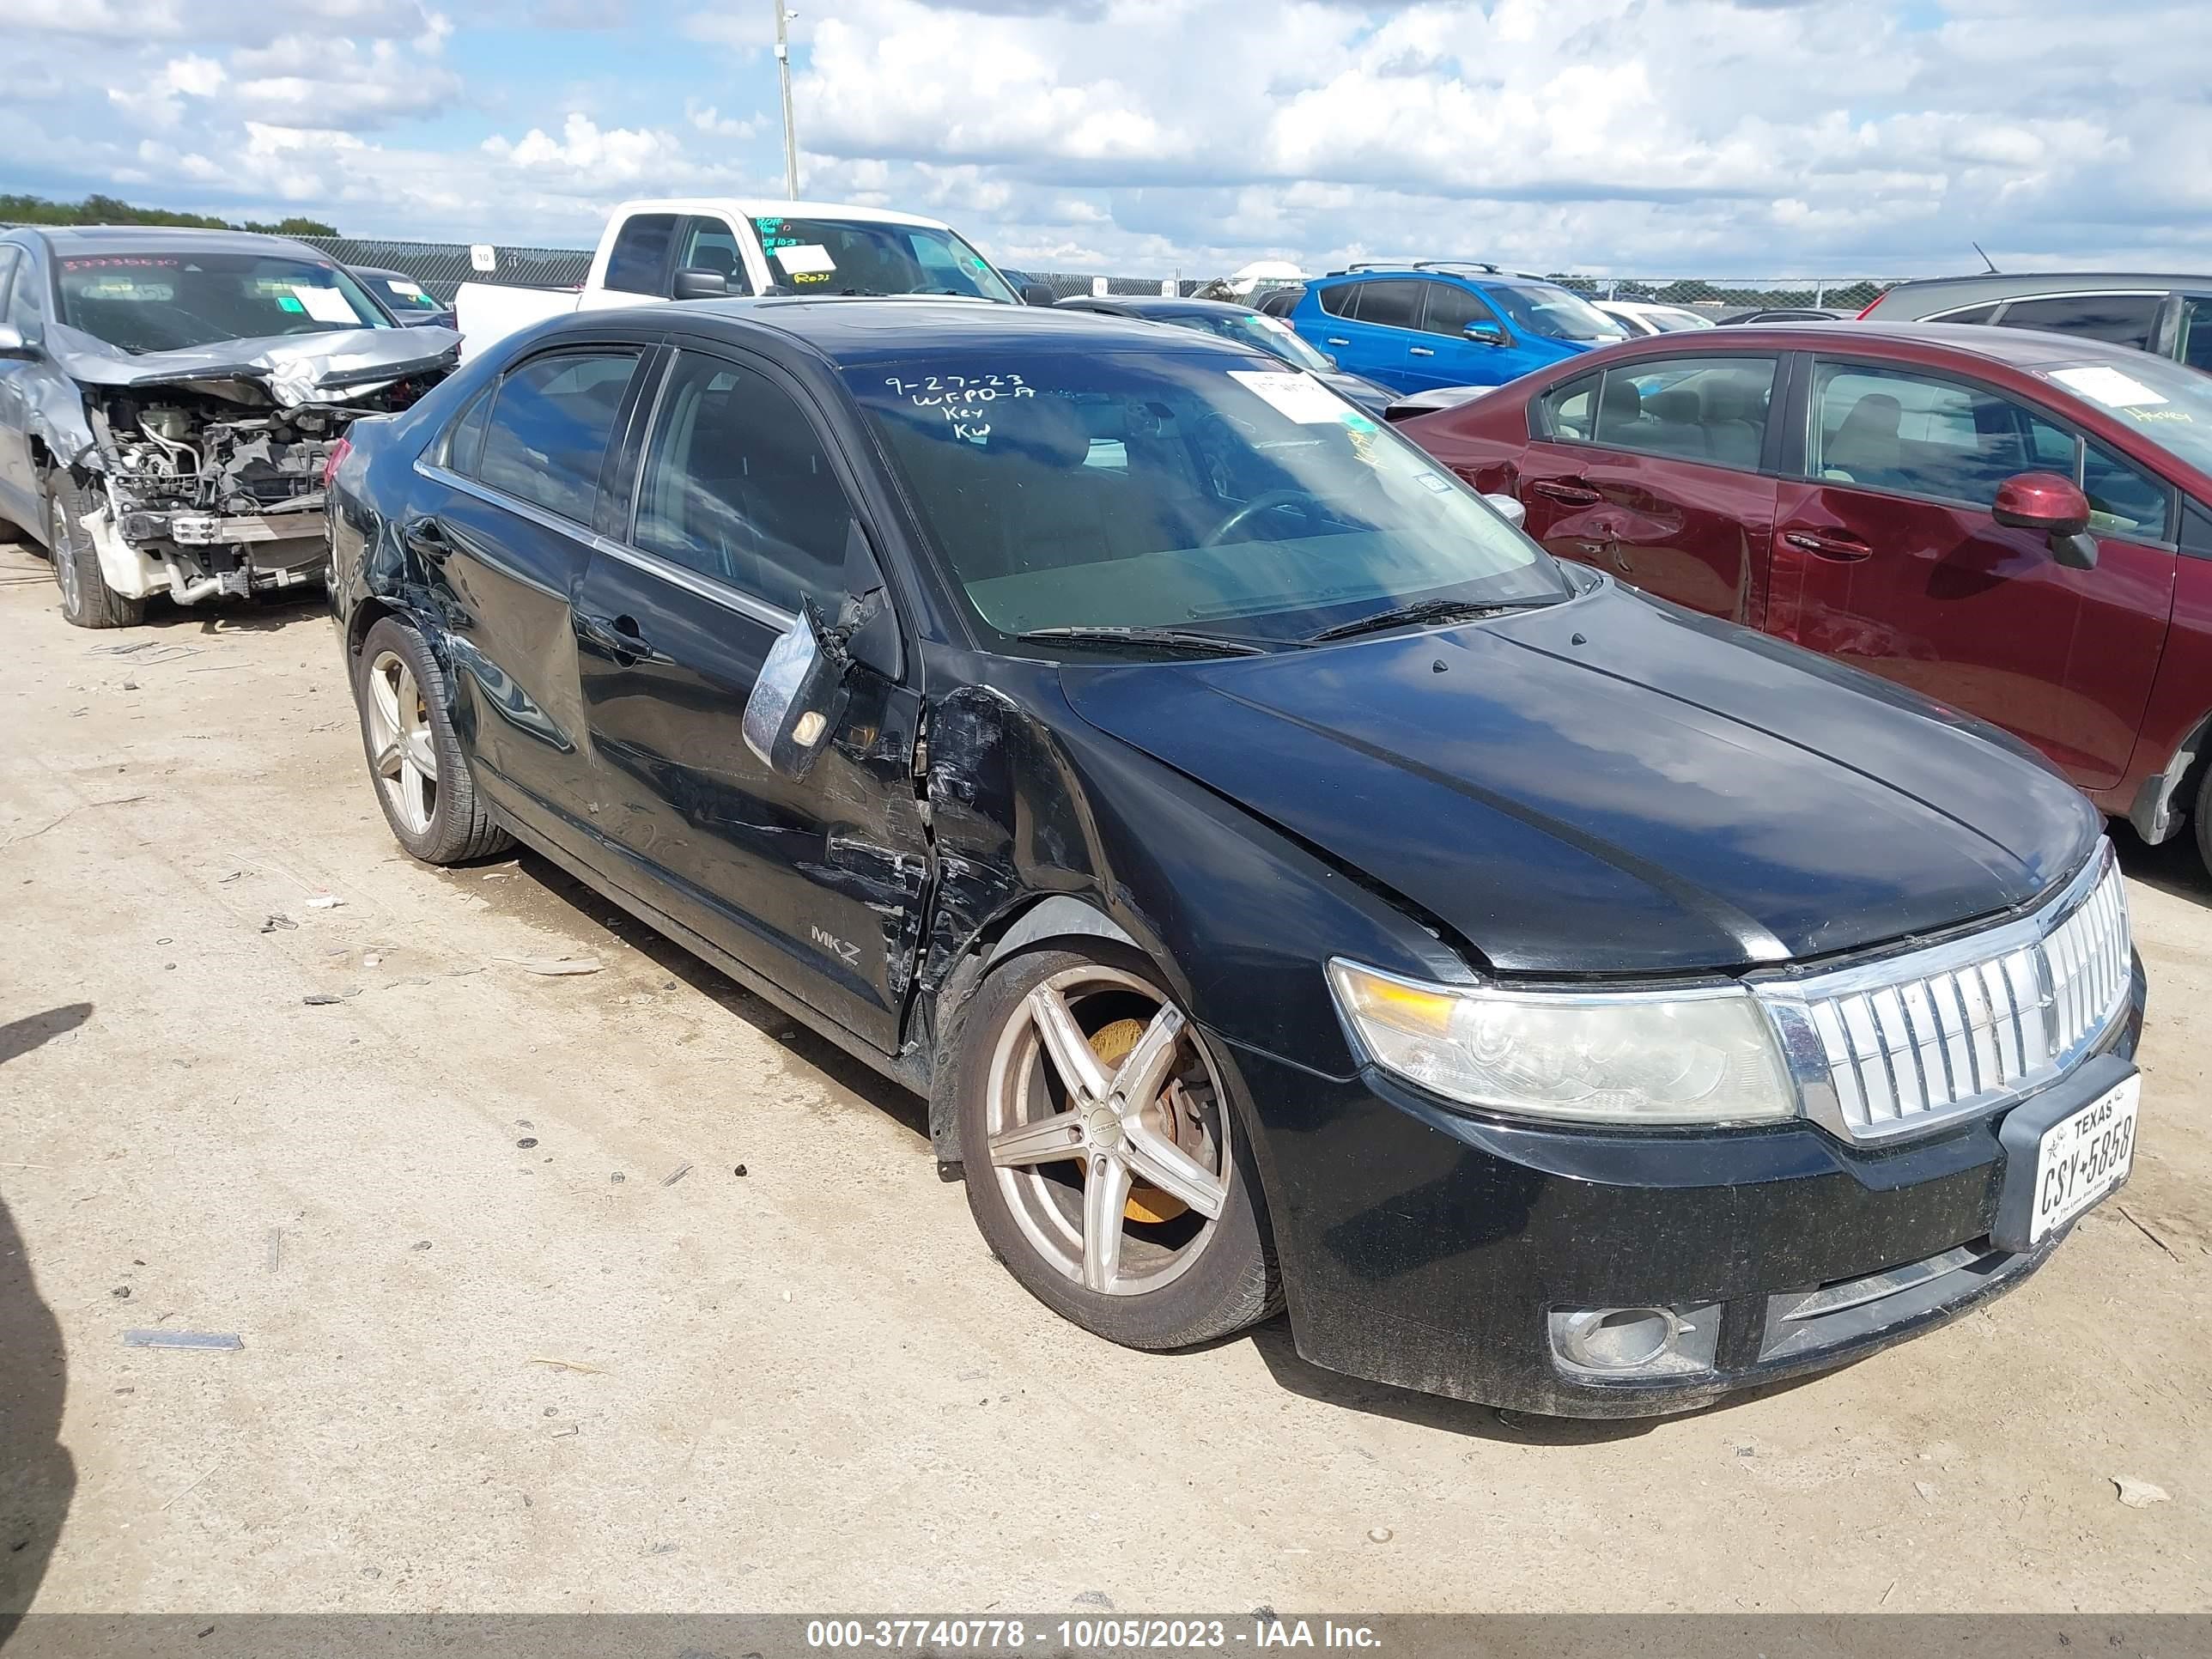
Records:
x=1109, y=1131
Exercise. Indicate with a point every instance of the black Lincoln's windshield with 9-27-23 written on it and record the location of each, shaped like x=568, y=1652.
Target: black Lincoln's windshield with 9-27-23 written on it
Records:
x=1180, y=490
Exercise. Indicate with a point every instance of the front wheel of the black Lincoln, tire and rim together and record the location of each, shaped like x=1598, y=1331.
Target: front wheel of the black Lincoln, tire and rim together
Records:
x=1105, y=1160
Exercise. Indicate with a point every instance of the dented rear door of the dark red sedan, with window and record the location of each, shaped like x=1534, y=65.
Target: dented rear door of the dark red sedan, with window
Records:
x=1660, y=472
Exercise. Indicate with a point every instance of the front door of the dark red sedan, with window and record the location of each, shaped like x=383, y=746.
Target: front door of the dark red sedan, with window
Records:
x=1888, y=559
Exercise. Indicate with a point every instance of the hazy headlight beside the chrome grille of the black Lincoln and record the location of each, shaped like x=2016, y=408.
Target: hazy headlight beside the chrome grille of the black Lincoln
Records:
x=1585, y=1056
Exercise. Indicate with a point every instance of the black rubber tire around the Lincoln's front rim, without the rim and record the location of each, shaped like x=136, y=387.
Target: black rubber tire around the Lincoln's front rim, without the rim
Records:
x=1229, y=1284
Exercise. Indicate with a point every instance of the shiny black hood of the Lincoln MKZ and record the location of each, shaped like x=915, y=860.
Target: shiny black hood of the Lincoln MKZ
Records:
x=1614, y=786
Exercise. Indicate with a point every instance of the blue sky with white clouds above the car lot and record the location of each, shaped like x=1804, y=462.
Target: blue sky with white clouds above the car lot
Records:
x=1735, y=138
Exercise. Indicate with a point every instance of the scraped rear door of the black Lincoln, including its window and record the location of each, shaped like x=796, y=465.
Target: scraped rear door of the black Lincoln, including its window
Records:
x=503, y=528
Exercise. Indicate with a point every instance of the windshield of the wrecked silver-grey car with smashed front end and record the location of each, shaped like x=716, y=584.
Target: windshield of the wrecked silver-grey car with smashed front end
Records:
x=167, y=302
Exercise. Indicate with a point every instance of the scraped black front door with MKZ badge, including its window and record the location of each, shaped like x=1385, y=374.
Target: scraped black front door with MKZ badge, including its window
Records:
x=742, y=514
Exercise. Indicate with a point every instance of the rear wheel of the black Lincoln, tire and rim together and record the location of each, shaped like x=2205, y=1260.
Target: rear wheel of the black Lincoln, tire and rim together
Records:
x=421, y=775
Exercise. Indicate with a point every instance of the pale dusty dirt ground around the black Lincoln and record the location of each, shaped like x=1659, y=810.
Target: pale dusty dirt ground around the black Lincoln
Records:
x=519, y=1335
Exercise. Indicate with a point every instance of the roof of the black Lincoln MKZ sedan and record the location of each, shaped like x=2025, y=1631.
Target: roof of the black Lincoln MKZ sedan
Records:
x=884, y=331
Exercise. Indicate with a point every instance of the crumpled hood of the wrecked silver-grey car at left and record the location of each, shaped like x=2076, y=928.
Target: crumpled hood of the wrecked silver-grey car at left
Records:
x=293, y=368
